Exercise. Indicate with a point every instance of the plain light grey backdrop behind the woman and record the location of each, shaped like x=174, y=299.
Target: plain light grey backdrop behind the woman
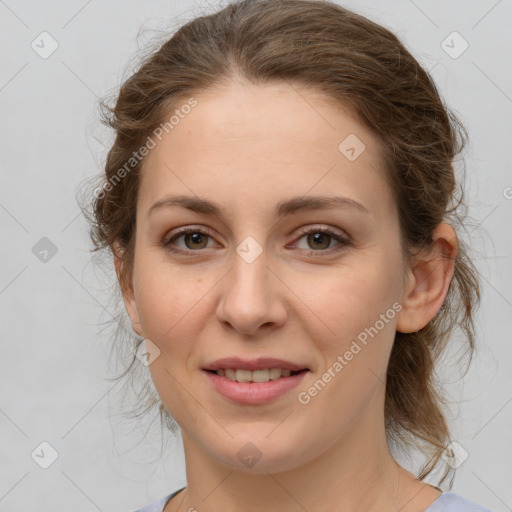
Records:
x=53, y=364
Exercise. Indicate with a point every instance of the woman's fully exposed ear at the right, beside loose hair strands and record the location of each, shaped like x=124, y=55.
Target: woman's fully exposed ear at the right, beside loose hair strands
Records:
x=428, y=281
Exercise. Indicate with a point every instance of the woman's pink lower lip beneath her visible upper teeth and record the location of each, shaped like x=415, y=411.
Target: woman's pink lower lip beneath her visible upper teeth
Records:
x=254, y=392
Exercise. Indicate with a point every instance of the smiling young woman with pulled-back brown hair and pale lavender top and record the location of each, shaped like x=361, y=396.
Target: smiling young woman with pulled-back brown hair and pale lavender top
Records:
x=279, y=204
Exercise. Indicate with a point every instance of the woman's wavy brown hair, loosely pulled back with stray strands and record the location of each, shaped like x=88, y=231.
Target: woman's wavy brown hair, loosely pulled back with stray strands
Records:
x=360, y=65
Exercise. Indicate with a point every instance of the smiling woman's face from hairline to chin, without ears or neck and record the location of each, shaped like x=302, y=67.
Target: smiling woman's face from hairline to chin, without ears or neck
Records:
x=280, y=271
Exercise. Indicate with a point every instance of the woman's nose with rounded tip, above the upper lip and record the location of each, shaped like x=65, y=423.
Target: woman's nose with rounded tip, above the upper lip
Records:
x=252, y=297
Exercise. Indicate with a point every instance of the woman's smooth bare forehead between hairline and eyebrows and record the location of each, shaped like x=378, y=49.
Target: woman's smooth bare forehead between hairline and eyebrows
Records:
x=264, y=142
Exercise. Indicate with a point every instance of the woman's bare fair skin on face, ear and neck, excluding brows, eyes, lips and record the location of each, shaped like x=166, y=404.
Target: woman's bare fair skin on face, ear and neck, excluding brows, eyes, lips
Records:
x=248, y=147
